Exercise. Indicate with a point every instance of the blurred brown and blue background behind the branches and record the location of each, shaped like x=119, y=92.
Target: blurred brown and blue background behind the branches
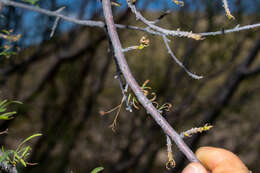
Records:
x=65, y=81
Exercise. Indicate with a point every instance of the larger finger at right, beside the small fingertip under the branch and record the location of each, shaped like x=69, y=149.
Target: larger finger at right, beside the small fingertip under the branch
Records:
x=219, y=160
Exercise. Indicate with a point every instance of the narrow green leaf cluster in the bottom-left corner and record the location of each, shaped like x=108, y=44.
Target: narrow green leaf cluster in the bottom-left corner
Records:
x=20, y=154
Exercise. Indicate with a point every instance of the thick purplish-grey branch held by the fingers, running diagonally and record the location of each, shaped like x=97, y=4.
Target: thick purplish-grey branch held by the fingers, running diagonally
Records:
x=136, y=88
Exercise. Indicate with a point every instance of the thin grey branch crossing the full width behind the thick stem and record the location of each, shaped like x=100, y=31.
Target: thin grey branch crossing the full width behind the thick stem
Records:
x=100, y=24
